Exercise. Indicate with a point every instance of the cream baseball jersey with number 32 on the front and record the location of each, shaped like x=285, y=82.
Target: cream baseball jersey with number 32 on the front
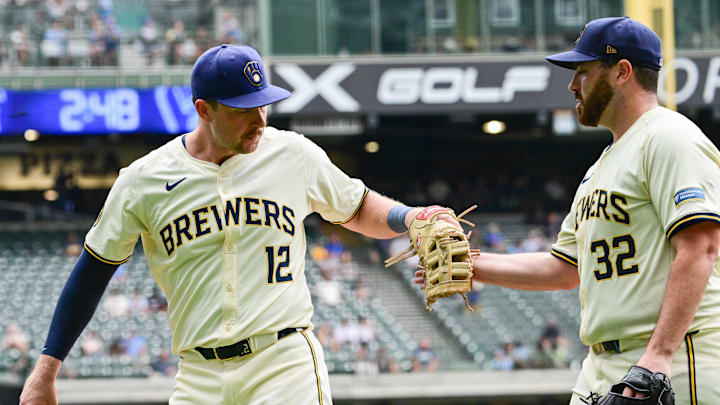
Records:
x=661, y=176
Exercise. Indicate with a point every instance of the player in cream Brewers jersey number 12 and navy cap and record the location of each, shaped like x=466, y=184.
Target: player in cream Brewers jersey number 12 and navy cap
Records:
x=220, y=212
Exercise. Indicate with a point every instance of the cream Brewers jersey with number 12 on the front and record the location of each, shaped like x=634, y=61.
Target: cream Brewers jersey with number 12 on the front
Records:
x=226, y=243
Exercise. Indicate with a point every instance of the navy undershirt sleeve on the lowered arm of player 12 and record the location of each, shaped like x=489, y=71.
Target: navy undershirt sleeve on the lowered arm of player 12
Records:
x=77, y=303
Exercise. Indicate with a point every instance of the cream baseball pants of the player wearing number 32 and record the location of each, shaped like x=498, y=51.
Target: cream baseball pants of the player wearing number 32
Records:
x=695, y=370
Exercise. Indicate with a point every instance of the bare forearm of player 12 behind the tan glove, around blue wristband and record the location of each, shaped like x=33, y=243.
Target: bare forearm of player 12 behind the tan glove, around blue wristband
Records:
x=371, y=218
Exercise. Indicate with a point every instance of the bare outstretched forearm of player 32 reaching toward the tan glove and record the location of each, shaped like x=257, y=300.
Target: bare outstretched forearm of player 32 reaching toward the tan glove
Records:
x=525, y=271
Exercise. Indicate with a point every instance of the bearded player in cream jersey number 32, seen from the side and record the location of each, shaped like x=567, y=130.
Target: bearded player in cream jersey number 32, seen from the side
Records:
x=642, y=236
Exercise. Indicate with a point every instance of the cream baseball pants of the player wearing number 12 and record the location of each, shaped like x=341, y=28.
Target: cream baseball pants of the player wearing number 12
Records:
x=292, y=371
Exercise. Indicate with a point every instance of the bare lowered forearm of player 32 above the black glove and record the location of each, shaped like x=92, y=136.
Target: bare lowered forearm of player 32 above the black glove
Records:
x=685, y=288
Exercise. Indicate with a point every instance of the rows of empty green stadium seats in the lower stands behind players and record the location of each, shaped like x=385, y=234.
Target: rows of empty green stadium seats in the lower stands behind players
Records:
x=35, y=266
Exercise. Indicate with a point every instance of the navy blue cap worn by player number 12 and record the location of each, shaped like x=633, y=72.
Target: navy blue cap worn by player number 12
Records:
x=234, y=75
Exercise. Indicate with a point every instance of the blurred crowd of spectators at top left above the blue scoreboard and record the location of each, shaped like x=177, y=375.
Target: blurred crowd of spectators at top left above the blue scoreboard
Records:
x=95, y=32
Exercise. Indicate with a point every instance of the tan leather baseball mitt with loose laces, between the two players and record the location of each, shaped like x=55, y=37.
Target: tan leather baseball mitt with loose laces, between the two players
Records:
x=444, y=253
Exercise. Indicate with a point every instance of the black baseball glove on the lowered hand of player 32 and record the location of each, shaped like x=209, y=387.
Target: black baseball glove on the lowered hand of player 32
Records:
x=656, y=387
